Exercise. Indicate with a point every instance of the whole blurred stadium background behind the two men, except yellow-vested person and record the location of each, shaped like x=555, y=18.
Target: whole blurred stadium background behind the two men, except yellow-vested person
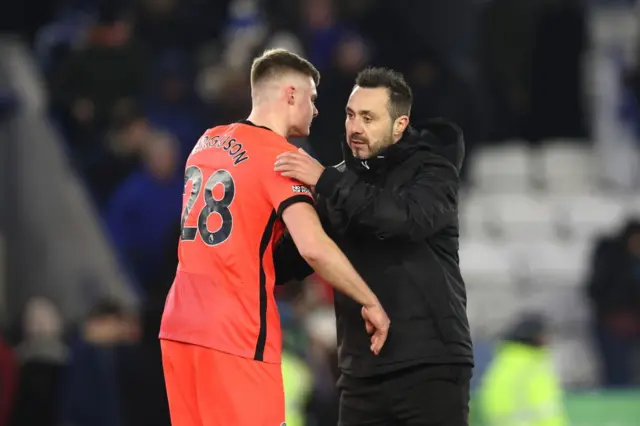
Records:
x=101, y=102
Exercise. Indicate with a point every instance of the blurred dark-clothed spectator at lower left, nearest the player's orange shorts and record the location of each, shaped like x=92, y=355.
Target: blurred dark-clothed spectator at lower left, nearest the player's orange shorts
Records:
x=114, y=377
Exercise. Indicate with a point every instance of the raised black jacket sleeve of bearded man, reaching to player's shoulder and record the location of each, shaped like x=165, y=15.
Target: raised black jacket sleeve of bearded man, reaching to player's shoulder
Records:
x=414, y=211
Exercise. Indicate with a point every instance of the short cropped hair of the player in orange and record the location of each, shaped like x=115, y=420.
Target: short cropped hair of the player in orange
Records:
x=275, y=61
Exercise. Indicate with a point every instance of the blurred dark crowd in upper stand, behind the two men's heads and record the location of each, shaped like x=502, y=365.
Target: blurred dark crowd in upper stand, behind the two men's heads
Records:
x=133, y=85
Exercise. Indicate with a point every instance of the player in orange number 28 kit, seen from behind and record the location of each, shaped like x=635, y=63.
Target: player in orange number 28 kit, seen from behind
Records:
x=221, y=337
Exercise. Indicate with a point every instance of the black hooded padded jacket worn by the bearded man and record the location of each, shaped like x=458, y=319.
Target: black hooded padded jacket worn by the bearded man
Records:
x=396, y=219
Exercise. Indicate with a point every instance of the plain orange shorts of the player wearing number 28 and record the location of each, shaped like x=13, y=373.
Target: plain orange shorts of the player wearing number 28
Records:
x=206, y=387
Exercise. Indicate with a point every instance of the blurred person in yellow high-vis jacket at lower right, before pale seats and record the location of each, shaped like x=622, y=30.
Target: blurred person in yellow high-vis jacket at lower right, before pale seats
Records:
x=521, y=387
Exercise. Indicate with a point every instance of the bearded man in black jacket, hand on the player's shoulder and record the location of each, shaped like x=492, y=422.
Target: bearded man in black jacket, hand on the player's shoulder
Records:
x=392, y=207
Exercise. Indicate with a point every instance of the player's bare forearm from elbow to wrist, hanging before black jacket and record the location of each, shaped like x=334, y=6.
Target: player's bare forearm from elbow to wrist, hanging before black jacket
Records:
x=333, y=266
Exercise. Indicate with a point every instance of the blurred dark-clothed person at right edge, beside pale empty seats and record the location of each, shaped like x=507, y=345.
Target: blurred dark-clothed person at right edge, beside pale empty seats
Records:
x=614, y=290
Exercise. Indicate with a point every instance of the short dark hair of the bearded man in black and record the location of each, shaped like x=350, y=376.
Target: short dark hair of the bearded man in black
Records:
x=400, y=96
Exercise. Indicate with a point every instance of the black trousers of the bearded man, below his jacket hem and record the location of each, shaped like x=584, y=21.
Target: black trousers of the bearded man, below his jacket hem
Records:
x=418, y=396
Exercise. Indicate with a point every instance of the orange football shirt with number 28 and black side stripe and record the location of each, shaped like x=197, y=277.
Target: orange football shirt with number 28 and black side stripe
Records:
x=222, y=296
